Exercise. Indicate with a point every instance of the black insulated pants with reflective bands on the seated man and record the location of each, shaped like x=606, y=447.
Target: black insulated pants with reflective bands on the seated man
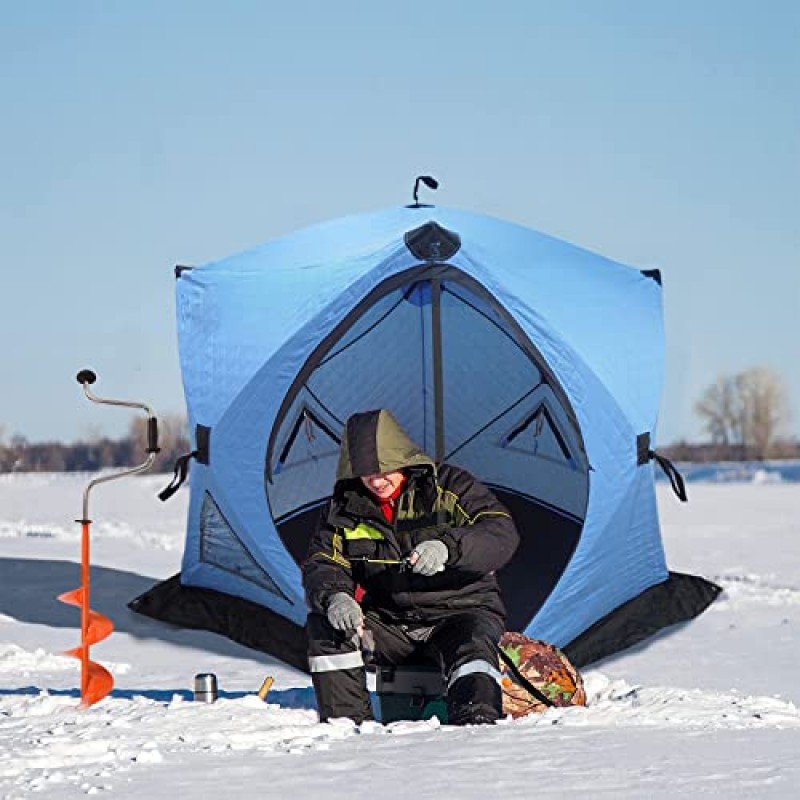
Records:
x=464, y=645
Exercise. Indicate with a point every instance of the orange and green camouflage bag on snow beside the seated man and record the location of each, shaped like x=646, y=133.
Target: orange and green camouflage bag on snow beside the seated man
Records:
x=536, y=676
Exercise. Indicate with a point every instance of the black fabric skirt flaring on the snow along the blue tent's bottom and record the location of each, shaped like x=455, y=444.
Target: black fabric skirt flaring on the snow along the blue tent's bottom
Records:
x=678, y=599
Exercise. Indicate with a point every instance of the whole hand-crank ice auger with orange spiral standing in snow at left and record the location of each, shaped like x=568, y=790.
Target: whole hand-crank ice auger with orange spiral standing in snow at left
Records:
x=96, y=680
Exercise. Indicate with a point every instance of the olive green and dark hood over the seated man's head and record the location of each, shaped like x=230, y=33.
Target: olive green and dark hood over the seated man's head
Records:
x=374, y=442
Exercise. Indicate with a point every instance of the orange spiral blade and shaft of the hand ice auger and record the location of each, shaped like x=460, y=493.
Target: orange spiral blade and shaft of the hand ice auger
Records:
x=96, y=680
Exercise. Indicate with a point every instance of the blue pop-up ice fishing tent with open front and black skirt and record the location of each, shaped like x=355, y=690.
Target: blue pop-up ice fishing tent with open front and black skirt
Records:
x=531, y=362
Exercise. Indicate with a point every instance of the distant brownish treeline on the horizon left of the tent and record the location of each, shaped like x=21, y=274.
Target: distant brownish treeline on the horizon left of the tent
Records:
x=19, y=455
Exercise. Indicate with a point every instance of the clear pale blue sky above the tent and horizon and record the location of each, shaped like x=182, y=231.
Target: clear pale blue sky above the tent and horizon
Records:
x=139, y=135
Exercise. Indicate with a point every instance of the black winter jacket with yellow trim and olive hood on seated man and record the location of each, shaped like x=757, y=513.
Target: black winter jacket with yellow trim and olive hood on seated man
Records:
x=355, y=545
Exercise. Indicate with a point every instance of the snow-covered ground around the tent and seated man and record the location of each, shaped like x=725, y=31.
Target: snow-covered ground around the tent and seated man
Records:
x=708, y=708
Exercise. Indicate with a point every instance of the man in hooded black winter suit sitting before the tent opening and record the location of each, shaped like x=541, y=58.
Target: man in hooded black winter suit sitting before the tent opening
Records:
x=423, y=542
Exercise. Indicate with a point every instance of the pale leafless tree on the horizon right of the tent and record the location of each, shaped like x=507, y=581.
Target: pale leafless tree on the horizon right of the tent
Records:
x=745, y=412
